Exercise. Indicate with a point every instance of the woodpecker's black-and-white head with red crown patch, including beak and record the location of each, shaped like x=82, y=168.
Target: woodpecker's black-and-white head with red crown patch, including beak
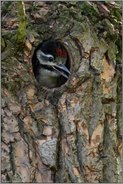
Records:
x=53, y=56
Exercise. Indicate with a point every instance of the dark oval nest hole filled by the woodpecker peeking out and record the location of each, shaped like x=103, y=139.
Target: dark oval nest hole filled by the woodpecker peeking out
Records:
x=50, y=64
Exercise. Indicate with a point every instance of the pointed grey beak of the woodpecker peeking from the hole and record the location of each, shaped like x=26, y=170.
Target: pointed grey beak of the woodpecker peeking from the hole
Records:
x=62, y=69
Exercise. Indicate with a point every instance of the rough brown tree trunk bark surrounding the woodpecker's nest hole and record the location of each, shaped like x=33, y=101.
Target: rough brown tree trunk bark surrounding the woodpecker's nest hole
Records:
x=71, y=133
